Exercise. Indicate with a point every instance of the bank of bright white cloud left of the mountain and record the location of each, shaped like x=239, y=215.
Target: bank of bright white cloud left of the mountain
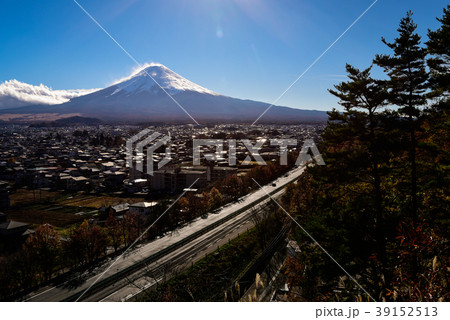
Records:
x=14, y=94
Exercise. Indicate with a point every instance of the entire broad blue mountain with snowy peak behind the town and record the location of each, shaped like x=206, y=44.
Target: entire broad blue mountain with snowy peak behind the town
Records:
x=144, y=96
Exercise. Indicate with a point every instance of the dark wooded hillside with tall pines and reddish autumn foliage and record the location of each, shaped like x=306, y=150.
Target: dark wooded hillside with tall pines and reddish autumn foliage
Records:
x=381, y=204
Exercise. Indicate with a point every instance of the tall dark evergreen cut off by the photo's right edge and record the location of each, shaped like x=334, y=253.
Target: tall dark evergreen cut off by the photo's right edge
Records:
x=437, y=126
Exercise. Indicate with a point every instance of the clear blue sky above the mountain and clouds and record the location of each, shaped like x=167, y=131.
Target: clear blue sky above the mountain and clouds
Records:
x=252, y=49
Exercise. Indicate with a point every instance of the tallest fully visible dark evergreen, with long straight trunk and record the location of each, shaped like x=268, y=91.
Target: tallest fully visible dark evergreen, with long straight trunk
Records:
x=407, y=83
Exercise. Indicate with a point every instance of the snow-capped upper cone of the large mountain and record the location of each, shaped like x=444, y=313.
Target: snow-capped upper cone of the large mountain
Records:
x=152, y=77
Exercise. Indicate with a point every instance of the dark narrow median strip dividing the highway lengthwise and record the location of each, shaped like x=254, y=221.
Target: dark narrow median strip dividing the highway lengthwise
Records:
x=138, y=265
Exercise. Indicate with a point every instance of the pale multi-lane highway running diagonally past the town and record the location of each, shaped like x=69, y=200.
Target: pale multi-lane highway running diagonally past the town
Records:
x=125, y=287
